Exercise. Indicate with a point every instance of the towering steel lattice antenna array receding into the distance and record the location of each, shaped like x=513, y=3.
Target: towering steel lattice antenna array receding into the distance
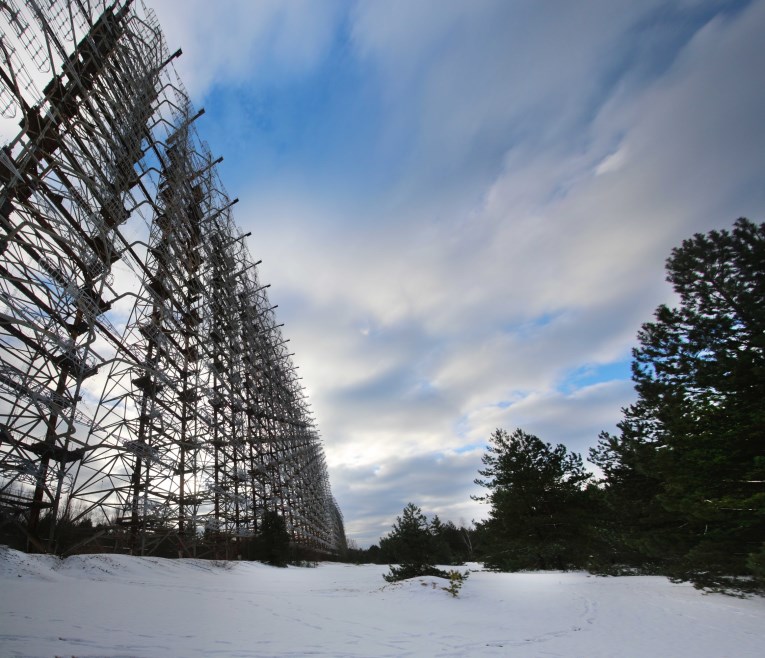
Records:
x=144, y=381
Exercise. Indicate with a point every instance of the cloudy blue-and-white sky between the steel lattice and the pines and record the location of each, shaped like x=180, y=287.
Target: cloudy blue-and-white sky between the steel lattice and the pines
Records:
x=464, y=207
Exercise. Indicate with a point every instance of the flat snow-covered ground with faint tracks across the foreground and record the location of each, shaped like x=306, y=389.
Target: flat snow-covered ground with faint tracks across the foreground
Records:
x=113, y=605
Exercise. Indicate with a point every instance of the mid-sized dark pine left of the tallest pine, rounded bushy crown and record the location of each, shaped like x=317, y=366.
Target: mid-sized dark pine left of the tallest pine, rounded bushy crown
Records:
x=538, y=504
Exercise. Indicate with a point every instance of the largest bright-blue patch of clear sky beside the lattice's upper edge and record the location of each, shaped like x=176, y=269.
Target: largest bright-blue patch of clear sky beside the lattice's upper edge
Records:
x=292, y=125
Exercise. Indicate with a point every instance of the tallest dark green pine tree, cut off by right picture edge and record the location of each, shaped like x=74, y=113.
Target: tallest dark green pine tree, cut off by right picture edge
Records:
x=690, y=456
